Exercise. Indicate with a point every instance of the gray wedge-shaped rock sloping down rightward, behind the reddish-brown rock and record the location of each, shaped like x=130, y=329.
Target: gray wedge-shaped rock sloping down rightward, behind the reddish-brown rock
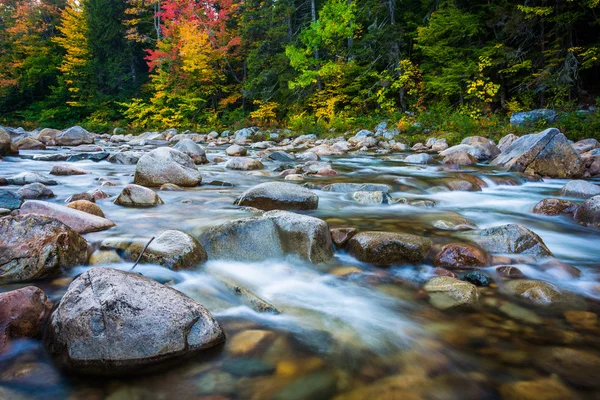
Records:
x=509, y=239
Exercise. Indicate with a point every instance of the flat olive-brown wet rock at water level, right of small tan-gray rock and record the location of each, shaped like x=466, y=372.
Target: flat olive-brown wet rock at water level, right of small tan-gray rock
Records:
x=541, y=293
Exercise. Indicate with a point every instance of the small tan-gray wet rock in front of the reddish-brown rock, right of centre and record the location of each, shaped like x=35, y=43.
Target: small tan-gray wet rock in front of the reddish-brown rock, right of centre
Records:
x=446, y=292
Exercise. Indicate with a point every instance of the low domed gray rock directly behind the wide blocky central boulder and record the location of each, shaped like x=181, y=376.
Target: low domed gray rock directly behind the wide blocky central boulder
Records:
x=278, y=196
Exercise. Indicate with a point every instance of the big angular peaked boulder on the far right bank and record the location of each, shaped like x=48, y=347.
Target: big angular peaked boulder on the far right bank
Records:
x=547, y=153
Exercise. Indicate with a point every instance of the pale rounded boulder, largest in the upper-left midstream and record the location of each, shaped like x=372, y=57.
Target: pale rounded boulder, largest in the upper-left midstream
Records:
x=166, y=165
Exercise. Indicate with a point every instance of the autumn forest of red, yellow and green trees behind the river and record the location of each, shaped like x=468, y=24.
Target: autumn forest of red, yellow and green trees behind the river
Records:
x=318, y=65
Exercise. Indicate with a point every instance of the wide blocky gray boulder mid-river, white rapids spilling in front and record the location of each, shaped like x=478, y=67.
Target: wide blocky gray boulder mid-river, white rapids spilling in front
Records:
x=273, y=235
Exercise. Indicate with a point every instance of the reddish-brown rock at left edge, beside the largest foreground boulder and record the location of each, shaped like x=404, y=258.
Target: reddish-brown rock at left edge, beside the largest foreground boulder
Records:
x=22, y=314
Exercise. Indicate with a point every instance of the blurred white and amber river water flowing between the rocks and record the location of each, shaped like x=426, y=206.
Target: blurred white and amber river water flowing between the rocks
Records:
x=369, y=334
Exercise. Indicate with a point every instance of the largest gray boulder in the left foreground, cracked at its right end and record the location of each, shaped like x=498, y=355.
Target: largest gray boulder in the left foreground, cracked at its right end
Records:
x=112, y=322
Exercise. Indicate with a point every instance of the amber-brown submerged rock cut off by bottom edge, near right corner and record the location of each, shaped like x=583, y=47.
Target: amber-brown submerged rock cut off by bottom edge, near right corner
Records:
x=539, y=389
